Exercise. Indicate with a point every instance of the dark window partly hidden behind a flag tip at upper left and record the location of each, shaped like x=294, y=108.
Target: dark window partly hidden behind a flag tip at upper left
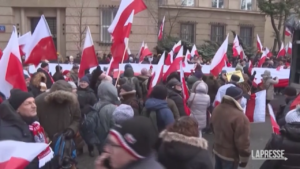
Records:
x=52, y=26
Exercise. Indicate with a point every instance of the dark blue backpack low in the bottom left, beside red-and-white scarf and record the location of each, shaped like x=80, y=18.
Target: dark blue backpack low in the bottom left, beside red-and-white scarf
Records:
x=64, y=151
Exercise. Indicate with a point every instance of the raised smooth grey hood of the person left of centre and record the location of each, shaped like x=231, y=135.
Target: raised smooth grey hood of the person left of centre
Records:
x=107, y=92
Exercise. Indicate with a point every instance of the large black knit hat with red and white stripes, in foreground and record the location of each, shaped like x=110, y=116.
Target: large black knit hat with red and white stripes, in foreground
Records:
x=132, y=137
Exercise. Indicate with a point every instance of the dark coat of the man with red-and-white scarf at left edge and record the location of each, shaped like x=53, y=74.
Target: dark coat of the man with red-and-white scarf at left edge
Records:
x=12, y=127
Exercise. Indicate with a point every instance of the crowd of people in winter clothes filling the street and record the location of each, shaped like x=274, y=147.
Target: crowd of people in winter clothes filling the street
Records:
x=132, y=126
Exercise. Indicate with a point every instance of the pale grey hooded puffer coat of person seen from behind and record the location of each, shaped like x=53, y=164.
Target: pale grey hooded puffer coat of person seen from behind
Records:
x=198, y=103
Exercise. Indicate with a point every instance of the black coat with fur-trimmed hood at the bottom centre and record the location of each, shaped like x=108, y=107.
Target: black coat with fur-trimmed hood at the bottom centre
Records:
x=178, y=151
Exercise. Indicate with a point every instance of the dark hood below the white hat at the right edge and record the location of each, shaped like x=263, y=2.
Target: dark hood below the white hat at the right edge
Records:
x=291, y=131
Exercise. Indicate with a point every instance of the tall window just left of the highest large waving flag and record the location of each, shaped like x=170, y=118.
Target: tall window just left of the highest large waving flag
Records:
x=107, y=16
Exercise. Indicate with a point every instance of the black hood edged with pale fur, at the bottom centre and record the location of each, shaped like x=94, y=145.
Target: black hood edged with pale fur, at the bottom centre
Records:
x=181, y=148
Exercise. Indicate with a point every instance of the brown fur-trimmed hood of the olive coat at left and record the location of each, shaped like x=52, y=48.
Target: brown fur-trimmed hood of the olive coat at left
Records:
x=61, y=92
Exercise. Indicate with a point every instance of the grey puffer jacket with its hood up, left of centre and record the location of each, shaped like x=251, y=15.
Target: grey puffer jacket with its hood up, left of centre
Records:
x=96, y=126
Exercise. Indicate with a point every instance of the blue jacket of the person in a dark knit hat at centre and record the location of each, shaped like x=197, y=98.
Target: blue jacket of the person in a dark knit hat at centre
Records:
x=164, y=115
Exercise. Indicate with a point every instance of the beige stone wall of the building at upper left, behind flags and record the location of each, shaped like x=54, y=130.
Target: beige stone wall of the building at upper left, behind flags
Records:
x=67, y=13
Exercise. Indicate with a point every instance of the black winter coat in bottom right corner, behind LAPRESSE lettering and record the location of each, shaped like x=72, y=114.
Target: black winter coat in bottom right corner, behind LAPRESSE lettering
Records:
x=289, y=141
